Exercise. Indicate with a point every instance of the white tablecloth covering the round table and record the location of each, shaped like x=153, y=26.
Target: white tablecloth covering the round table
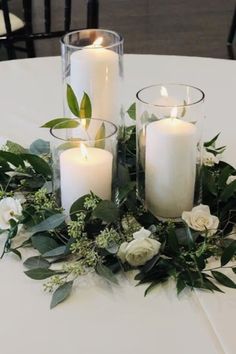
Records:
x=99, y=318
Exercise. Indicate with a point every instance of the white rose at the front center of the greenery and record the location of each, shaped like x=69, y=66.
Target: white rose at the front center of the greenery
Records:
x=140, y=250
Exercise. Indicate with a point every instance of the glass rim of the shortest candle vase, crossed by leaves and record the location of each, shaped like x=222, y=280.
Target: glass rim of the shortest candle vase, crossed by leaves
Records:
x=115, y=129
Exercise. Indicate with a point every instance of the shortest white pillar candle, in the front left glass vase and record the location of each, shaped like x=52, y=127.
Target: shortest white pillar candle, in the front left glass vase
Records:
x=81, y=174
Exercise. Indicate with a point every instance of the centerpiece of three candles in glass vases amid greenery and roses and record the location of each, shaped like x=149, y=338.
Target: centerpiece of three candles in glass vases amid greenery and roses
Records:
x=87, y=205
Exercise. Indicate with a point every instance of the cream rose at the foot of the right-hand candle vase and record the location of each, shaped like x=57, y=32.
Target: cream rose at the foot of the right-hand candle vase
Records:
x=200, y=219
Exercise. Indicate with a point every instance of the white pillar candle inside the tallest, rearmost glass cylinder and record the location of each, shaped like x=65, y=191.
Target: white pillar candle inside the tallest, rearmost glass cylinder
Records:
x=95, y=70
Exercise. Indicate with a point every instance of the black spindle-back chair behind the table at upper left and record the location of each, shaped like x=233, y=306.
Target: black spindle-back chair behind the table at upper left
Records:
x=25, y=34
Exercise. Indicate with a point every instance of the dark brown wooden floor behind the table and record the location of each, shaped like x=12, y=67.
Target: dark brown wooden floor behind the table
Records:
x=173, y=27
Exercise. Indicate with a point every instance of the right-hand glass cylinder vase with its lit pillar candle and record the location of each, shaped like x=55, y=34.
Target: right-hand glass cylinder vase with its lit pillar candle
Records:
x=169, y=129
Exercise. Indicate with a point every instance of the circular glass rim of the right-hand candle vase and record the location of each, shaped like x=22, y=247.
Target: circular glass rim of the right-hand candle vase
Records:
x=171, y=84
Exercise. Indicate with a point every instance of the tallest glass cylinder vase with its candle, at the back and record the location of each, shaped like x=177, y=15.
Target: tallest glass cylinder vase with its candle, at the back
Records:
x=92, y=62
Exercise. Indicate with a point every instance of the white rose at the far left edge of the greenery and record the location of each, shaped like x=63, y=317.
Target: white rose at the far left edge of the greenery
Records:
x=10, y=208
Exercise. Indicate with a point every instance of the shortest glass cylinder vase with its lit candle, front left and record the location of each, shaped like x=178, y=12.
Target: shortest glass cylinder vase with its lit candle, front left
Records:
x=84, y=160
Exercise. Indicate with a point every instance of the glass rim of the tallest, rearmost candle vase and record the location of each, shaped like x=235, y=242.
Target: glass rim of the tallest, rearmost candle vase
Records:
x=117, y=35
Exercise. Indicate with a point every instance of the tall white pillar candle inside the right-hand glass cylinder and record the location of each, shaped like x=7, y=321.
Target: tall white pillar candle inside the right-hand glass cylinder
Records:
x=170, y=167
